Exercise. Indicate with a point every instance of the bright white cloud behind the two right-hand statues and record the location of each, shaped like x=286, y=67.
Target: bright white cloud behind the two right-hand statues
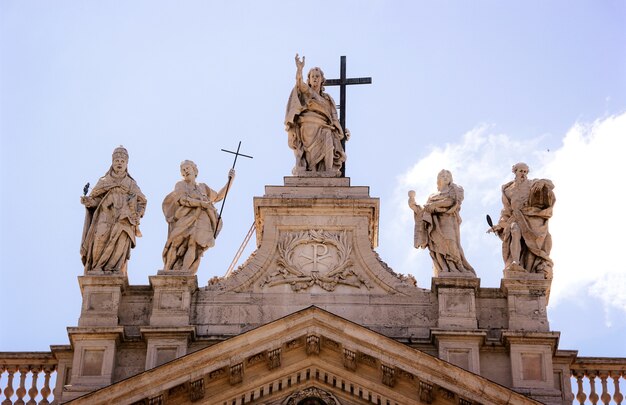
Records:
x=588, y=224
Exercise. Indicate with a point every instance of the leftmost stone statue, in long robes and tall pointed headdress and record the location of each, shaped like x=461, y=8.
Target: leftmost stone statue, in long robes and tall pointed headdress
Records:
x=114, y=208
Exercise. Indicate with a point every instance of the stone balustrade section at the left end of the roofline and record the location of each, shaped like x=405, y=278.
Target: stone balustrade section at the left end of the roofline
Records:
x=27, y=374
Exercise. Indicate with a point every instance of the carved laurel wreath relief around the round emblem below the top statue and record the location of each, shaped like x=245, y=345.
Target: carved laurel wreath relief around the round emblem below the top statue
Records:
x=288, y=272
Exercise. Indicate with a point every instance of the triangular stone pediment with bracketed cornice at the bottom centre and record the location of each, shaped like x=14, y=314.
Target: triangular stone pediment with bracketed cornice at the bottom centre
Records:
x=308, y=354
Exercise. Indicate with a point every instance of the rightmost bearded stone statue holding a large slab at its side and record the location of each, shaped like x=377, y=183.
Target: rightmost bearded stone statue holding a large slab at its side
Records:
x=523, y=224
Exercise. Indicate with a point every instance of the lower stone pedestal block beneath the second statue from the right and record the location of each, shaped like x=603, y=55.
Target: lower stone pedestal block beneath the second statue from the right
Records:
x=460, y=348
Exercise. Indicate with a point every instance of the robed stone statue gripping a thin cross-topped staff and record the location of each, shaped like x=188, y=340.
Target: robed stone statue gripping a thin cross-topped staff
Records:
x=192, y=219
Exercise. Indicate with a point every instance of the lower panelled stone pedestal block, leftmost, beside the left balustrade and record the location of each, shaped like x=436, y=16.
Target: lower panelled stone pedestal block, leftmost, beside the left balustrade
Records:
x=94, y=359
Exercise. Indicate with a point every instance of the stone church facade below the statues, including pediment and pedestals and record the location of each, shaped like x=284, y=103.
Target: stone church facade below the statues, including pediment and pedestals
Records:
x=315, y=313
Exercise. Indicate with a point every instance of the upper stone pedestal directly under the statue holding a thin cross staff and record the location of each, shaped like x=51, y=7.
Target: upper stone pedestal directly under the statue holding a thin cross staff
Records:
x=171, y=303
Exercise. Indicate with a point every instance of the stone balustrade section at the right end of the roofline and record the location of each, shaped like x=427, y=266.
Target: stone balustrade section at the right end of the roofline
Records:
x=596, y=380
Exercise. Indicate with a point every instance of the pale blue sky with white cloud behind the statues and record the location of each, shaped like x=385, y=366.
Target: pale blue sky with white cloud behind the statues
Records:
x=473, y=87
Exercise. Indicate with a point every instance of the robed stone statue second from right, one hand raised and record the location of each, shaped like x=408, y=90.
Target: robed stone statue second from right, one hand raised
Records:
x=437, y=226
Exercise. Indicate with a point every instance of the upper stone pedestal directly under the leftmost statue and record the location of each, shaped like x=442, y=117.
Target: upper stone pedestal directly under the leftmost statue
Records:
x=101, y=299
